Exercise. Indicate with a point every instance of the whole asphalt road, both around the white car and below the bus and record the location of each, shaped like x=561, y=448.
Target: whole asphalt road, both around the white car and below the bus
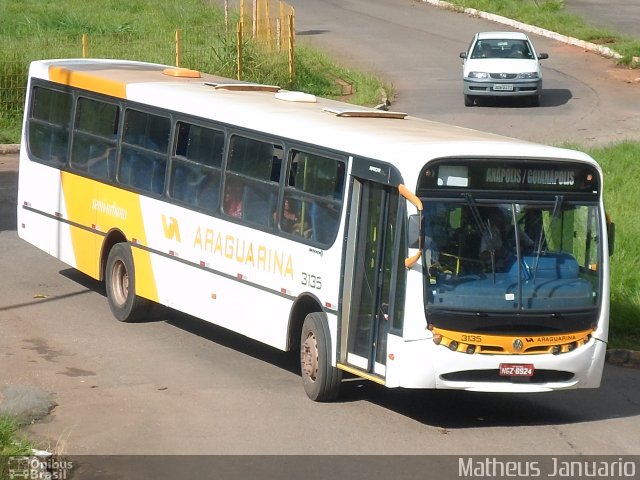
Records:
x=176, y=385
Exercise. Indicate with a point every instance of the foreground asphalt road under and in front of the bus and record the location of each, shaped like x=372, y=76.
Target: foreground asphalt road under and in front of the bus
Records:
x=177, y=385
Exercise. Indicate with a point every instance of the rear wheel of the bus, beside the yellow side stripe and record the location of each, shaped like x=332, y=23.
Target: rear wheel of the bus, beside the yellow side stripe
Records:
x=120, y=283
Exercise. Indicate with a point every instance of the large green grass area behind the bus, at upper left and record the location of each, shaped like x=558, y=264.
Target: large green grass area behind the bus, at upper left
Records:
x=144, y=30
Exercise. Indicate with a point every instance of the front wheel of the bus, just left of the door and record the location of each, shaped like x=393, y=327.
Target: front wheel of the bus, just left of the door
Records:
x=321, y=380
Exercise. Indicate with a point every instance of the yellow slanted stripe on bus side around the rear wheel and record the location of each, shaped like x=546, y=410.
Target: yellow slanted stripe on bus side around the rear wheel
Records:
x=105, y=208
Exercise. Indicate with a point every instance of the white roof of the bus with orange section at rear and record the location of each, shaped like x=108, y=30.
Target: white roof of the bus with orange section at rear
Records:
x=373, y=133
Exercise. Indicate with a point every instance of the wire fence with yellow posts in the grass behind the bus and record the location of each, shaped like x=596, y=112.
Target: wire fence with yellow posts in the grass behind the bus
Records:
x=256, y=43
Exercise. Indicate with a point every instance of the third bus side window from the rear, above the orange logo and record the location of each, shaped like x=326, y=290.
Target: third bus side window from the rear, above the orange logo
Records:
x=143, y=161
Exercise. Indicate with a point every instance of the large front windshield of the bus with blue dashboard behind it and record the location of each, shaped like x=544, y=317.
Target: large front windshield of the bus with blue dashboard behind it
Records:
x=506, y=256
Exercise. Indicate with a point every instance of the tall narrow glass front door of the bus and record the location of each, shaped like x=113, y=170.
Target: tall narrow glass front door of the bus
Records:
x=367, y=286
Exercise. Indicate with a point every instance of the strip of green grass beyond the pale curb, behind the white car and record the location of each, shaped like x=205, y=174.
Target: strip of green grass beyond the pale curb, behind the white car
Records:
x=552, y=15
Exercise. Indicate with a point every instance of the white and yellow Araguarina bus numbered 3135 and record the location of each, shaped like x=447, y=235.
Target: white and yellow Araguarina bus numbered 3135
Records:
x=403, y=251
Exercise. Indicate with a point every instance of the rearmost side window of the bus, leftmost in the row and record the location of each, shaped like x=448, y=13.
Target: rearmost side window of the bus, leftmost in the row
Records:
x=49, y=121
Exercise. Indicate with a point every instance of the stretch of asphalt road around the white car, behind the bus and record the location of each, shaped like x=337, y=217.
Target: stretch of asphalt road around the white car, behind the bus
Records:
x=414, y=46
